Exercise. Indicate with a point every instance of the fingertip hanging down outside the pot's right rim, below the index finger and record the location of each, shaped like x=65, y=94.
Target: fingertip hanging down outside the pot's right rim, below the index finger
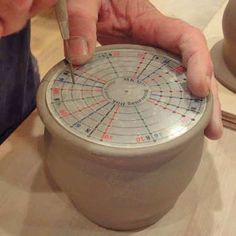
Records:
x=215, y=127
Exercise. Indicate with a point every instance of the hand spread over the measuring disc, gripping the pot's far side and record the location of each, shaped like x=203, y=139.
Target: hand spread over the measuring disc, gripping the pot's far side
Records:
x=137, y=21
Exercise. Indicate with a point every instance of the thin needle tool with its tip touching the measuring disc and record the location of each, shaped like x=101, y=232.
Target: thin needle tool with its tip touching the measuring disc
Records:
x=62, y=18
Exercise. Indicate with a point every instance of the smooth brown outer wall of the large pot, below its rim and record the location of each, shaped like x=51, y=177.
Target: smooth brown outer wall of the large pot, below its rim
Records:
x=119, y=195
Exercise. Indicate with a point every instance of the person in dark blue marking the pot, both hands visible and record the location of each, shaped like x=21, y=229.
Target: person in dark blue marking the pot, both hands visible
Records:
x=109, y=21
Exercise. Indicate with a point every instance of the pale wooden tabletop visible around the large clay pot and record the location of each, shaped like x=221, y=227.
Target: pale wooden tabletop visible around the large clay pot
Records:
x=31, y=206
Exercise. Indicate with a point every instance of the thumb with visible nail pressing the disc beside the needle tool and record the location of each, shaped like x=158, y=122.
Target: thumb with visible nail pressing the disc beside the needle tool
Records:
x=83, y=16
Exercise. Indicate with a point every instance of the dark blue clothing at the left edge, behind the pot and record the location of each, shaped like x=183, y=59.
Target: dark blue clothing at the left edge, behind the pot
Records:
x=18, y=81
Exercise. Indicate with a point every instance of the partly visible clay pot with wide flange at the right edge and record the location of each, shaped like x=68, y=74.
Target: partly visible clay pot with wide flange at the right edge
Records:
x=224, y=52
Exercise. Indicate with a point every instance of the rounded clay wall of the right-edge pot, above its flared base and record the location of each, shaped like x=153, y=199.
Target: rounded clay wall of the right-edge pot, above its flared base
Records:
x=229, y=29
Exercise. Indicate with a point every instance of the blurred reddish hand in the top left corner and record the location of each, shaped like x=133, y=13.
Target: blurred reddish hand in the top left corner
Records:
x=15, y=13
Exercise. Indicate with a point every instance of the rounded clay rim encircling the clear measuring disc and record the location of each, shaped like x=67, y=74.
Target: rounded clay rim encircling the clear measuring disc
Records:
x=56, y=130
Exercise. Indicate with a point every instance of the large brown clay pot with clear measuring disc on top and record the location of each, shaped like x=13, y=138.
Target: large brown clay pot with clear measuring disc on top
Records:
x=120, y=188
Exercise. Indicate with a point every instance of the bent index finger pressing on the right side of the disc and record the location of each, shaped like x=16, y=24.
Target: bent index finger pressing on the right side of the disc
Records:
x=179, y=37
